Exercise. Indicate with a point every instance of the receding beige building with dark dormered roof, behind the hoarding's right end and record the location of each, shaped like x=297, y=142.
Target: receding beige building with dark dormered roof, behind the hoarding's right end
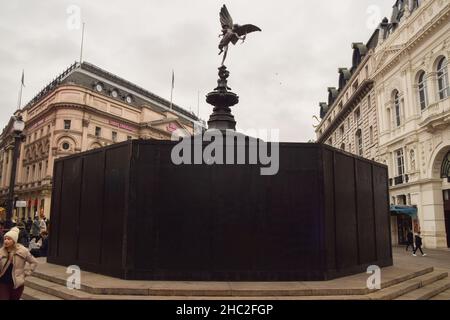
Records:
x=349, y=119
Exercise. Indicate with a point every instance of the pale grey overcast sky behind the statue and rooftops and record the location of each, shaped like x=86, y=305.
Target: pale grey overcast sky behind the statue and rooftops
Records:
x=280, y=74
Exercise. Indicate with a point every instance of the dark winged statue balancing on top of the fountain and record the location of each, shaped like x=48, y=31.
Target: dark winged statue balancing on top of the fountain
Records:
x=232, y=32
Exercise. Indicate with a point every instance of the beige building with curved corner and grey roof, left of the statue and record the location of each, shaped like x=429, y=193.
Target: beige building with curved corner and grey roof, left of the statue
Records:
x=82, y=109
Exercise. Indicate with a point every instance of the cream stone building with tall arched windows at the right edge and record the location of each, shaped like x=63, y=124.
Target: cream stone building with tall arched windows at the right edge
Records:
x=412, y=92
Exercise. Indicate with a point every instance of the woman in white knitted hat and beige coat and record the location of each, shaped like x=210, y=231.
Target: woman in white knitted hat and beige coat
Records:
x=13, y=258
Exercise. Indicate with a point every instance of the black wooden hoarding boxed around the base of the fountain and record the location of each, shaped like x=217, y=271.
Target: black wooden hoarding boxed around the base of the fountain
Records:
x=127, y=211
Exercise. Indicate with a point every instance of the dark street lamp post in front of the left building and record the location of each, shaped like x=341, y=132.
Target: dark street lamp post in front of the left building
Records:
x=18, y=126
